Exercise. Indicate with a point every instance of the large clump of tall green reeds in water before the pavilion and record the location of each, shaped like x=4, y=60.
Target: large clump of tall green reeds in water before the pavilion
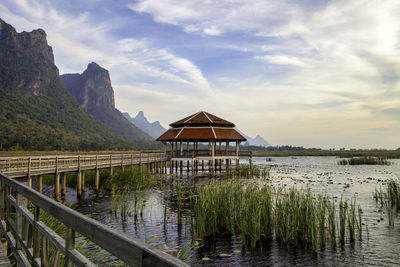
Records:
x=257, y=212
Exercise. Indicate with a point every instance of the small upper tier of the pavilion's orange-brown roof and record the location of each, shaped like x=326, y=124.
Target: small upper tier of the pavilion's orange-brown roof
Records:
x=202, y=118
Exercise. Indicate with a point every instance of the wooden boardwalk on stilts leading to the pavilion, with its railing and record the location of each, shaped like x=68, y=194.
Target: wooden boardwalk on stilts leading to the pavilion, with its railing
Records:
x=21, y=167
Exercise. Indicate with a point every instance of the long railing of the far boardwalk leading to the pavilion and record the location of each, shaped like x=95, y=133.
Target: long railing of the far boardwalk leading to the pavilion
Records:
x=39, y=165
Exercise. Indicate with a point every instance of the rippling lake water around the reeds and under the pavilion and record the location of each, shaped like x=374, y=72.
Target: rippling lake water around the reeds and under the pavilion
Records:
x=320, y=174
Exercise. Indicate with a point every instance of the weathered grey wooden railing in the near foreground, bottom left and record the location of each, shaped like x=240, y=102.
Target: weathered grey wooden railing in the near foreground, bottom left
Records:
x=29, y=237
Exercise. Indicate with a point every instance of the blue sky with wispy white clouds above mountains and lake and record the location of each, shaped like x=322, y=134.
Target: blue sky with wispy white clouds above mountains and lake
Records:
x=312, y=73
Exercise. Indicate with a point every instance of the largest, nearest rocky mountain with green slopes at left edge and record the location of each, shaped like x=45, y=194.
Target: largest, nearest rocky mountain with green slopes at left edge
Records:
x=36, y=111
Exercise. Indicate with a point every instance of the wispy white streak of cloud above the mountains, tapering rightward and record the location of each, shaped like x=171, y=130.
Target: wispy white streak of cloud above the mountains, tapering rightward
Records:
x=78, y=40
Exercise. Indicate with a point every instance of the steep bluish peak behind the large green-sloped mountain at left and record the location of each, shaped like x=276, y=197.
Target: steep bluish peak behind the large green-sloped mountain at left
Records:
x=93, y=91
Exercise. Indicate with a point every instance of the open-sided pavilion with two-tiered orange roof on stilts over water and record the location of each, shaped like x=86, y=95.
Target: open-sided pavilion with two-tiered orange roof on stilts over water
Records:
x=202, y=127
